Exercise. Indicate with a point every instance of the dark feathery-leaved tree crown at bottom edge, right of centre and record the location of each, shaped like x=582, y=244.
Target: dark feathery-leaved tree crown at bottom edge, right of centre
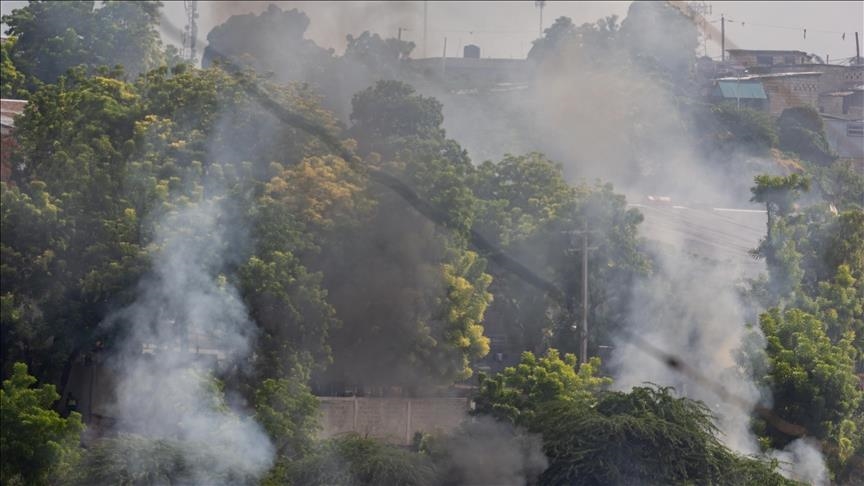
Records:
x=644, y=436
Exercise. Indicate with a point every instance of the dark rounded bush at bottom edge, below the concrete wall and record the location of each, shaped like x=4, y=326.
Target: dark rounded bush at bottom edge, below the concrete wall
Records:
x=357, y=461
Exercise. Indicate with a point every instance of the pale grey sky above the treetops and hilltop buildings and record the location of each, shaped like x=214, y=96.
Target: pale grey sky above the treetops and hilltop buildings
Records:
x=505, y=29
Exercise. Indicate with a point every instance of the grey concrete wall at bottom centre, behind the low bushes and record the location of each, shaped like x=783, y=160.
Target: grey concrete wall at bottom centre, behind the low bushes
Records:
x=394, y=420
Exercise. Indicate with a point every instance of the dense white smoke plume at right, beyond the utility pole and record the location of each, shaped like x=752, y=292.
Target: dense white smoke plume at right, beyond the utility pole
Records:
x=692, y=309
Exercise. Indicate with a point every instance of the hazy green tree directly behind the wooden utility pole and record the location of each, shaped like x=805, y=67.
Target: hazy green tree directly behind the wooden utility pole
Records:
x=526, y=206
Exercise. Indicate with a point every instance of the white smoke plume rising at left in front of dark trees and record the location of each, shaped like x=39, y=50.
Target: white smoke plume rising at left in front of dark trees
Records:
x=188, y=320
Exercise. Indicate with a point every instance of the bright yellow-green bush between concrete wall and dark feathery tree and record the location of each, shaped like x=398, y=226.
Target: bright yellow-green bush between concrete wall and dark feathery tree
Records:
x=518, y=392
